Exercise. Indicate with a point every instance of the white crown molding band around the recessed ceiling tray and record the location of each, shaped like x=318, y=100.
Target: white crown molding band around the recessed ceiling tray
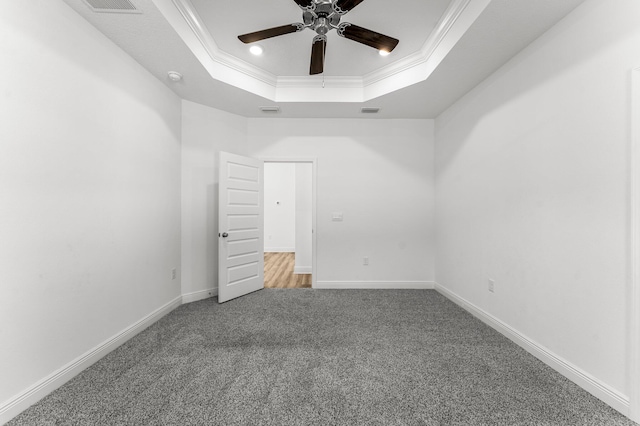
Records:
x=412, y=69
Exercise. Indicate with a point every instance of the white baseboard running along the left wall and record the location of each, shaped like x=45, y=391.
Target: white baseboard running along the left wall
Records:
x=14, y=406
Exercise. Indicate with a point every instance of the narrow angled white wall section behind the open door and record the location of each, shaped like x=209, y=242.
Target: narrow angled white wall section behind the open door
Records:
x=205, y=132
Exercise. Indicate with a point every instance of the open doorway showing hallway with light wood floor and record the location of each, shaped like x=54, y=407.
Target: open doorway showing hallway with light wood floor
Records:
x=289, y=222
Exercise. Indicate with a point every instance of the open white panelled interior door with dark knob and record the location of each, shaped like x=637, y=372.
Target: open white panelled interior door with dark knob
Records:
x=240, y=226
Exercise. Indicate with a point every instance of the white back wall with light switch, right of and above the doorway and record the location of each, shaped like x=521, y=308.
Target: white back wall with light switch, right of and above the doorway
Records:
x=378, y=173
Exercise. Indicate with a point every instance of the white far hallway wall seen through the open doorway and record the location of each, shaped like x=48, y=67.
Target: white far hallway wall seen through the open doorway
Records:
x=279, y=207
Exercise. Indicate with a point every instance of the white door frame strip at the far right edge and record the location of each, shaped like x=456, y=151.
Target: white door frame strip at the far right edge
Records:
x=634, y=252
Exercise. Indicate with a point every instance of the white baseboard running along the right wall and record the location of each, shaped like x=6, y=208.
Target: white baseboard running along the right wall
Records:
x=580, y=377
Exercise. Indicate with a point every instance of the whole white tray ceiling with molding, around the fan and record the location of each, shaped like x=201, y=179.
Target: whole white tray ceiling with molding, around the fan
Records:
x=446, y=48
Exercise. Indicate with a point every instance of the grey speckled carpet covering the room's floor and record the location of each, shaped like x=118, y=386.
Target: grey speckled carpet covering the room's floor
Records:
x=320, y=357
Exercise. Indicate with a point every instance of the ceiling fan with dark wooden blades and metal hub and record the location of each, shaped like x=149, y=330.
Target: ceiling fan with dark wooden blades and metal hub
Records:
x=323, y=16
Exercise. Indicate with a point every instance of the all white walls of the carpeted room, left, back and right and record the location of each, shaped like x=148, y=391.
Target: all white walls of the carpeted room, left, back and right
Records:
x=532, y=191
